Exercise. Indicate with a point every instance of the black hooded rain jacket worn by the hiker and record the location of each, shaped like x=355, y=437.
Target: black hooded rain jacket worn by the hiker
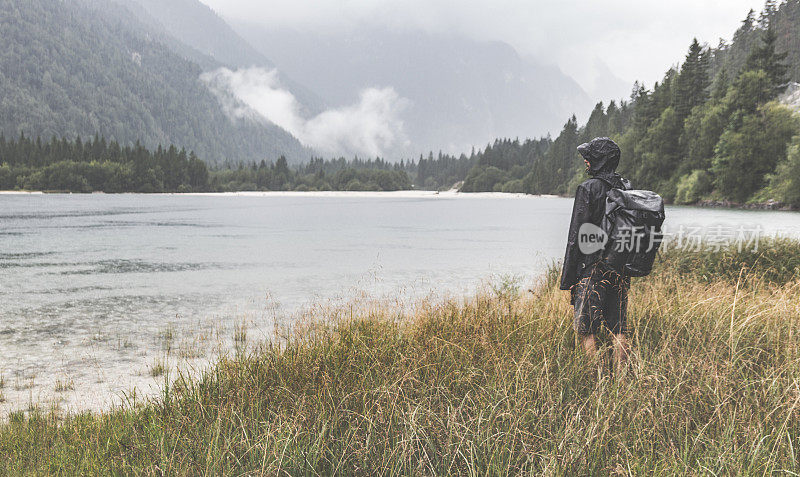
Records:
x=590, y=202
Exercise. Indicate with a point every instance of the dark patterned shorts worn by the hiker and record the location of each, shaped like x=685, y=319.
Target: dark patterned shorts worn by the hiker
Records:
x=600, y=299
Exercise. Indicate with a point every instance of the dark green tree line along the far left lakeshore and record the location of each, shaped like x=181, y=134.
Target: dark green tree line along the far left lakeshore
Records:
x=97, y=165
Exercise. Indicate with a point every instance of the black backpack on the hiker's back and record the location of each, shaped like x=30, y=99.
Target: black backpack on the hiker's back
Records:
x=632, y=221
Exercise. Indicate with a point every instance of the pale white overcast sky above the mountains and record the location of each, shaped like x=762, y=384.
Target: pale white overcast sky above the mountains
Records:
x=637, y=39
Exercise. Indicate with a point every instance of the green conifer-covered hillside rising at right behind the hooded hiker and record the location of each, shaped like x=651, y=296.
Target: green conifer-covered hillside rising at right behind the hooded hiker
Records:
x=711, y=129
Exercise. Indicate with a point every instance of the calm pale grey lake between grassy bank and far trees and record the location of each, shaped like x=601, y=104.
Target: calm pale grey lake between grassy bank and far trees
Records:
x=99, y=291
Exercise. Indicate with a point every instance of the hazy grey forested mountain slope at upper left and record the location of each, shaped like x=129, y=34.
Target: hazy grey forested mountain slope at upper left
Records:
x=67, y=69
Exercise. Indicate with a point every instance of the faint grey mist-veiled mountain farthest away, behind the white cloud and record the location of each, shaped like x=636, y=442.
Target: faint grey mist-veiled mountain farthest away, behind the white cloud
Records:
x=461, y=92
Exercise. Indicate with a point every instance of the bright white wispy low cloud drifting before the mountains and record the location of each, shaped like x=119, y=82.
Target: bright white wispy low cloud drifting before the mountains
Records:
x=372, y=127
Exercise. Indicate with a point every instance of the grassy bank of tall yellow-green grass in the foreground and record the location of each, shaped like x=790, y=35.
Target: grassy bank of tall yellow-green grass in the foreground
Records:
x=490, y=385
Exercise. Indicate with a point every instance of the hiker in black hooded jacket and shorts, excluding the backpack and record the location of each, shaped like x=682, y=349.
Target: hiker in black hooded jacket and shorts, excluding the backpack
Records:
x=599, y=293
